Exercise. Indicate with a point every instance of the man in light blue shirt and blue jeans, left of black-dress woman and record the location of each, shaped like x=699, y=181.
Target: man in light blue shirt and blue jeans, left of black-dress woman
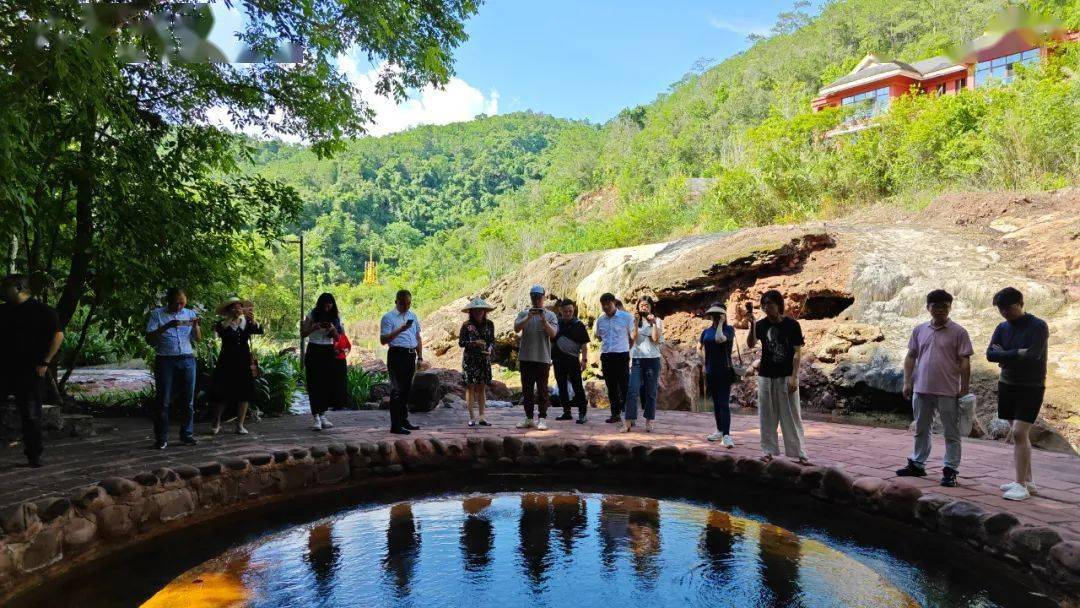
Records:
x=172, y=330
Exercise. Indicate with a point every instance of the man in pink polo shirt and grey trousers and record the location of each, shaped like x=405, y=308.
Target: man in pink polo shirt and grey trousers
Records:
x=937, y=374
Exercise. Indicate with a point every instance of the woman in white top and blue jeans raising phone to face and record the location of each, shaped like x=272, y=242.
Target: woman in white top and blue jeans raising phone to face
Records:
x=646, y=336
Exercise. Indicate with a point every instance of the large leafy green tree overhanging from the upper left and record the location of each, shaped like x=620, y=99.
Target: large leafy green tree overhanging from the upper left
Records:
x=113, y=184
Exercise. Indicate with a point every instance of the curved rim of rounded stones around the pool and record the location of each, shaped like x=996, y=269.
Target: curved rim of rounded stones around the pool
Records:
x=50, y=537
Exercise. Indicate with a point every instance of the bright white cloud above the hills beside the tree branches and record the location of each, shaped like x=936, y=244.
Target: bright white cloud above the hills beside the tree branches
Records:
x=456, y=102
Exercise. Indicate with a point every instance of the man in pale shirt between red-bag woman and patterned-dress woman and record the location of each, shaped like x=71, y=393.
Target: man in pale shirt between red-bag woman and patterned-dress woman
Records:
x=400, y=331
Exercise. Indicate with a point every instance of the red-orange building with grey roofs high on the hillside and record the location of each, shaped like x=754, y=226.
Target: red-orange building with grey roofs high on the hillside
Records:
x=991, y=59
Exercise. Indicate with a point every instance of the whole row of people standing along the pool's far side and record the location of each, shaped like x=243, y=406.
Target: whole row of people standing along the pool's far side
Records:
x=937, y=368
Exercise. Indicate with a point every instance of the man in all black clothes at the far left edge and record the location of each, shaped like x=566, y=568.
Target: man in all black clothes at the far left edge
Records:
x=31, y=336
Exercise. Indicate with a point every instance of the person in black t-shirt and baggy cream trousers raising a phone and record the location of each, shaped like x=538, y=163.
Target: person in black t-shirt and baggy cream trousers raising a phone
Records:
x=778, y=377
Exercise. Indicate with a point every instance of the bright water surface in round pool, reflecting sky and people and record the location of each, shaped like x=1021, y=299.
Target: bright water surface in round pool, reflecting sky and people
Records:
x=552, y=550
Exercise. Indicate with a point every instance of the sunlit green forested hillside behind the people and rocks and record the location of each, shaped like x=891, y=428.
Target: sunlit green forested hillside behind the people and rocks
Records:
x=445, y=224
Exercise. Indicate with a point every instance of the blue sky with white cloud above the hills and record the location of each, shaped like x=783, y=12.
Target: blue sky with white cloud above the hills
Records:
x=571, y=59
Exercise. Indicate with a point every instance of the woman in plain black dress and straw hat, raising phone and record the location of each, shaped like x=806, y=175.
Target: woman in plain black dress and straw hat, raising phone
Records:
x=236, y=370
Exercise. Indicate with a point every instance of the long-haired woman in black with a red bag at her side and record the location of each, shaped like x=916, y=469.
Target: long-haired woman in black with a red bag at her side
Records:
x=325, y=373
